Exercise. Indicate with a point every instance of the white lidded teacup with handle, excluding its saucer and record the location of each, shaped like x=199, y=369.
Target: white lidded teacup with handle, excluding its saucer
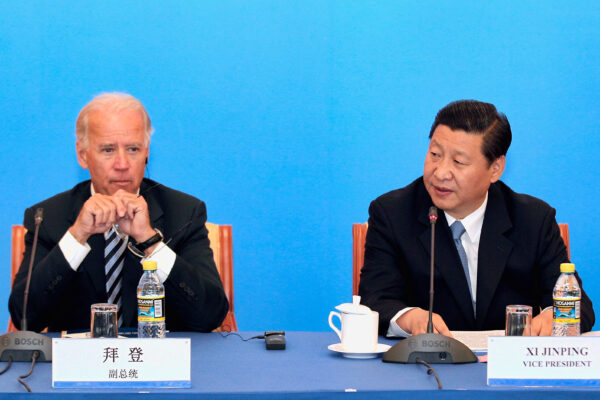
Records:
x=359, y=331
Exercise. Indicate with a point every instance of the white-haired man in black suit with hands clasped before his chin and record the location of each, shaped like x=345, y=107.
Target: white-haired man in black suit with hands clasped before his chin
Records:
x=140, y=218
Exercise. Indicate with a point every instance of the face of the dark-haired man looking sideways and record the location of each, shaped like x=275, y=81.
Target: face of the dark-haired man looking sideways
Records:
x=456, y=174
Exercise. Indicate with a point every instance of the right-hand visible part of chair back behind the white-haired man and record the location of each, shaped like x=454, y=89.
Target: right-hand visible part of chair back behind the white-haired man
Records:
x=221, y=243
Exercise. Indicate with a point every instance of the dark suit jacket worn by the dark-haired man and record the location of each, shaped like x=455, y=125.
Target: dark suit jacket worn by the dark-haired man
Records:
x=520, y=251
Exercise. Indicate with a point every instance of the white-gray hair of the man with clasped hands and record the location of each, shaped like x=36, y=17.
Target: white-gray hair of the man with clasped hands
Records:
x=110, y=102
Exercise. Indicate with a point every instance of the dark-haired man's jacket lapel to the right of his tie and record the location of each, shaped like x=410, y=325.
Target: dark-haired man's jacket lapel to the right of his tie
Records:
x=494, y=249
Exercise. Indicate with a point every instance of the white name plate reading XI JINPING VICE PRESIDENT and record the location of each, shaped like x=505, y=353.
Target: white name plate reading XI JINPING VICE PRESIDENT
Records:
x=543, y=361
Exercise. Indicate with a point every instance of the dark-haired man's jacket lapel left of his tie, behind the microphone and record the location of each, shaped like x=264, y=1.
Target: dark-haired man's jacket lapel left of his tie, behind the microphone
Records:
x=447, y=261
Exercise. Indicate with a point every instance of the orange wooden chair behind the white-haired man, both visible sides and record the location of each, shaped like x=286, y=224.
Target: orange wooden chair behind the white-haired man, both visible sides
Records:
x=221, y=244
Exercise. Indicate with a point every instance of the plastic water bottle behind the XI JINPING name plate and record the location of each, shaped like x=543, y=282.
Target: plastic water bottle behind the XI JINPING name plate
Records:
x=567, y=303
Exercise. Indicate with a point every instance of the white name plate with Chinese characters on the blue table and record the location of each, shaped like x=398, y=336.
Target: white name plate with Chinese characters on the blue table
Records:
x=121, y=363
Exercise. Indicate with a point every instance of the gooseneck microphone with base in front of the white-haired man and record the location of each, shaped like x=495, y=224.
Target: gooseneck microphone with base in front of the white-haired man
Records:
x=25, y=345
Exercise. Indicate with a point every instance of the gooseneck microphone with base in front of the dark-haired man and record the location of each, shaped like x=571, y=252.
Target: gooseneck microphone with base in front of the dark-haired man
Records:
x=430, y=347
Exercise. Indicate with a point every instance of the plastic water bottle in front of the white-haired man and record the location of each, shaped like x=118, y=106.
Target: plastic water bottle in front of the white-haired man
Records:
x=151, y=303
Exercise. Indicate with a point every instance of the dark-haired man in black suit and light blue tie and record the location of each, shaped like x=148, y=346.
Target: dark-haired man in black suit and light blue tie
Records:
x=494, y=247
